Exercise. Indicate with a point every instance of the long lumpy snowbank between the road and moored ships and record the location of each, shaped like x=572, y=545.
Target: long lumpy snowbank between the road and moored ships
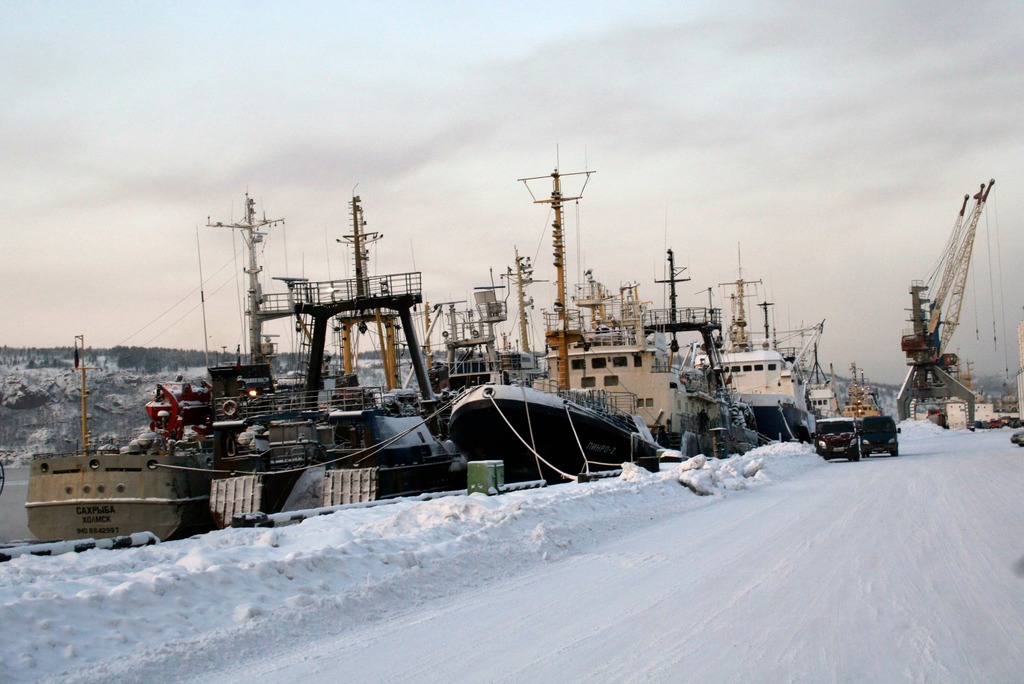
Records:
x=83, y=616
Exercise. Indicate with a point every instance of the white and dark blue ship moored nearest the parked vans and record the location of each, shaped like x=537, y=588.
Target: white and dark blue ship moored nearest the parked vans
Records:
x=767, y=376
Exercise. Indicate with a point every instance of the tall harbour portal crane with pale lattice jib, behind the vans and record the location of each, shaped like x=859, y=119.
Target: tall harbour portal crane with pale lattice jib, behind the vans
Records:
x=934, y=322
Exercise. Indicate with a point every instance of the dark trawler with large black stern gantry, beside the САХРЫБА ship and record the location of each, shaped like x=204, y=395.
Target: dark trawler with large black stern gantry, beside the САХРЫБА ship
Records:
x=326, y=440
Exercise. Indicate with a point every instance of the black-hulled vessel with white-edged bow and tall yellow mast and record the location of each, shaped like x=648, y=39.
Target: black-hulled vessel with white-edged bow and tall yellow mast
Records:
x=551, y=431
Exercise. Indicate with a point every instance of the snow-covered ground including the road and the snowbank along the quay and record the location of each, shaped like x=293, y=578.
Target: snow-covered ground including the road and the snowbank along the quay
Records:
x=792, y=570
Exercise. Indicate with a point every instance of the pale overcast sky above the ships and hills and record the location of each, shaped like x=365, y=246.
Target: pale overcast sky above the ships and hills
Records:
x=830, y=144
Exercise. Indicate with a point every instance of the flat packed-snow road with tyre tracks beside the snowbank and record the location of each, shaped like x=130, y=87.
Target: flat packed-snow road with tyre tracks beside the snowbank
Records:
x=891, y=570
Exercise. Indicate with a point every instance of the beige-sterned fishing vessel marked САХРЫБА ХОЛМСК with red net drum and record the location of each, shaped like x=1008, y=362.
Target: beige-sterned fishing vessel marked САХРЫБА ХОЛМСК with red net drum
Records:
x=161, y=482
